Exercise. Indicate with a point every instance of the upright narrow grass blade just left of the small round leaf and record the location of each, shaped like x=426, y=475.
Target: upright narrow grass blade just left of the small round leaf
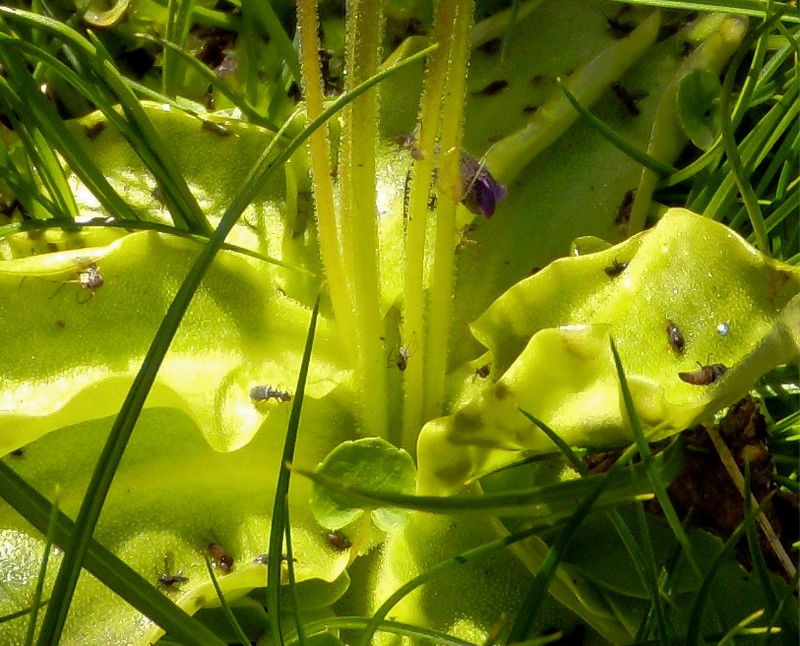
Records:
x=280, y=506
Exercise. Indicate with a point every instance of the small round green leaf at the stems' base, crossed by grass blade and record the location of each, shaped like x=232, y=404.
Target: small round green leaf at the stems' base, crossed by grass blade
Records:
x=371, y=463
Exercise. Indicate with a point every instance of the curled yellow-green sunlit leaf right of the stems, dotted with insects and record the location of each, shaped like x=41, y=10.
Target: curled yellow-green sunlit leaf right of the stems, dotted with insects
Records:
x=548, y=342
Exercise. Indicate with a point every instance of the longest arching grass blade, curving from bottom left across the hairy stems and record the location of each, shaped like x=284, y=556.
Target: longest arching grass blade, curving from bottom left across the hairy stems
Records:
x=123, y=425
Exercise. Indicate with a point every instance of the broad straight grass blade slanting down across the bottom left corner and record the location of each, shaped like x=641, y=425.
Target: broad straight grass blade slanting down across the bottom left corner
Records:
x=104, y=565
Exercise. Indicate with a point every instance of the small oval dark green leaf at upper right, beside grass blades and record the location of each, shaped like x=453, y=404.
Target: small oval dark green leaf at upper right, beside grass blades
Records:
x=697, y=99
